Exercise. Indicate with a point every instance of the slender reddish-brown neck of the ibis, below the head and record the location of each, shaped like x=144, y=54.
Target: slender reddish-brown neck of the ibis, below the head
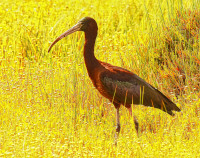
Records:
x=90, y=60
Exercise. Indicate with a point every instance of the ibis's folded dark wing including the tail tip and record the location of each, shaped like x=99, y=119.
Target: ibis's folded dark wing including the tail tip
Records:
x=125, y=87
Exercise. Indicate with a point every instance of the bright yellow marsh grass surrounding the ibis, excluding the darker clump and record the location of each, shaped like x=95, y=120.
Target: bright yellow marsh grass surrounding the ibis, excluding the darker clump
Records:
x=48, y=105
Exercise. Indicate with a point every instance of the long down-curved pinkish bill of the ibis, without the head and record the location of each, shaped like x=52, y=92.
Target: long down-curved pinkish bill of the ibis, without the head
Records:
x=68, y=32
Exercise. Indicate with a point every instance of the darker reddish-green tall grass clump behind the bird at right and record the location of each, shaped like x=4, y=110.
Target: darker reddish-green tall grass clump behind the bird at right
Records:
x=178, y=51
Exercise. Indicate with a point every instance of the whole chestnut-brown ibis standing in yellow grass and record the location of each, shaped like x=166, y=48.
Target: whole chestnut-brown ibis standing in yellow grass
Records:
x=118, y=85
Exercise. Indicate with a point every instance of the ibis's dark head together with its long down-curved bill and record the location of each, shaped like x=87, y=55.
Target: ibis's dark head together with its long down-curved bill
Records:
x=86, y=24
